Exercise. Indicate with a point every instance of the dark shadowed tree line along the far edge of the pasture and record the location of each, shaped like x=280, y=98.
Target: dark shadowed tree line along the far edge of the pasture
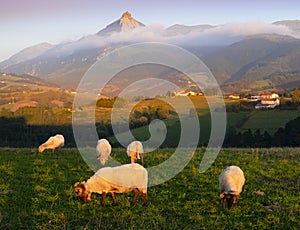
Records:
x=15, y=132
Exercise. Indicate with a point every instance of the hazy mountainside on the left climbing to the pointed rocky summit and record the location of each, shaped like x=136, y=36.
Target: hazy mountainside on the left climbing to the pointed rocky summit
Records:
x=66, y=63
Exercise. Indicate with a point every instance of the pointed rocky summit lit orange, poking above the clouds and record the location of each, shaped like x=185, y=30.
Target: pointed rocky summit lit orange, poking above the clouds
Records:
x=125, y=24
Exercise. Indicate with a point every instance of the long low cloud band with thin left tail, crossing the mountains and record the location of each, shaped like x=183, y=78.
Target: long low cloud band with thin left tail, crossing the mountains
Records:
x=222, y=35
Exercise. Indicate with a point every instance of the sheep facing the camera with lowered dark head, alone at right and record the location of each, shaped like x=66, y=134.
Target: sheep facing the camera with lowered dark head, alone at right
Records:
x=231, y=182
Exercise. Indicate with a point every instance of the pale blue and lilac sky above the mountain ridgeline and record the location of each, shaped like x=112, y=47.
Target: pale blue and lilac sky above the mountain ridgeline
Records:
x=27, y=23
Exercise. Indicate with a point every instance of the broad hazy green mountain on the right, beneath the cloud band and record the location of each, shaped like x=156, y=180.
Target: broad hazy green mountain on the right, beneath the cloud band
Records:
x=257, y=63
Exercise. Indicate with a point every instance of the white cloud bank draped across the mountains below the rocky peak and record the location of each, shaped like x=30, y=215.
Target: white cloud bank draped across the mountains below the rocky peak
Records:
x=219, y=35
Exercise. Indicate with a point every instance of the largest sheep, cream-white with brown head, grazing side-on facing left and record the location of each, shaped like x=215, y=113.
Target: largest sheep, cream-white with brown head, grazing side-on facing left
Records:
x=119, y=179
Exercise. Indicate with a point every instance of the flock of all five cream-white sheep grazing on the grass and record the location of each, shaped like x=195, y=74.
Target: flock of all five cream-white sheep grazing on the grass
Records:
x=134, y=177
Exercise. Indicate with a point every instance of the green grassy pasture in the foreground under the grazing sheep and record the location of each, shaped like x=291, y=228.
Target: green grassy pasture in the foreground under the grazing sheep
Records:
x=36, y=192
